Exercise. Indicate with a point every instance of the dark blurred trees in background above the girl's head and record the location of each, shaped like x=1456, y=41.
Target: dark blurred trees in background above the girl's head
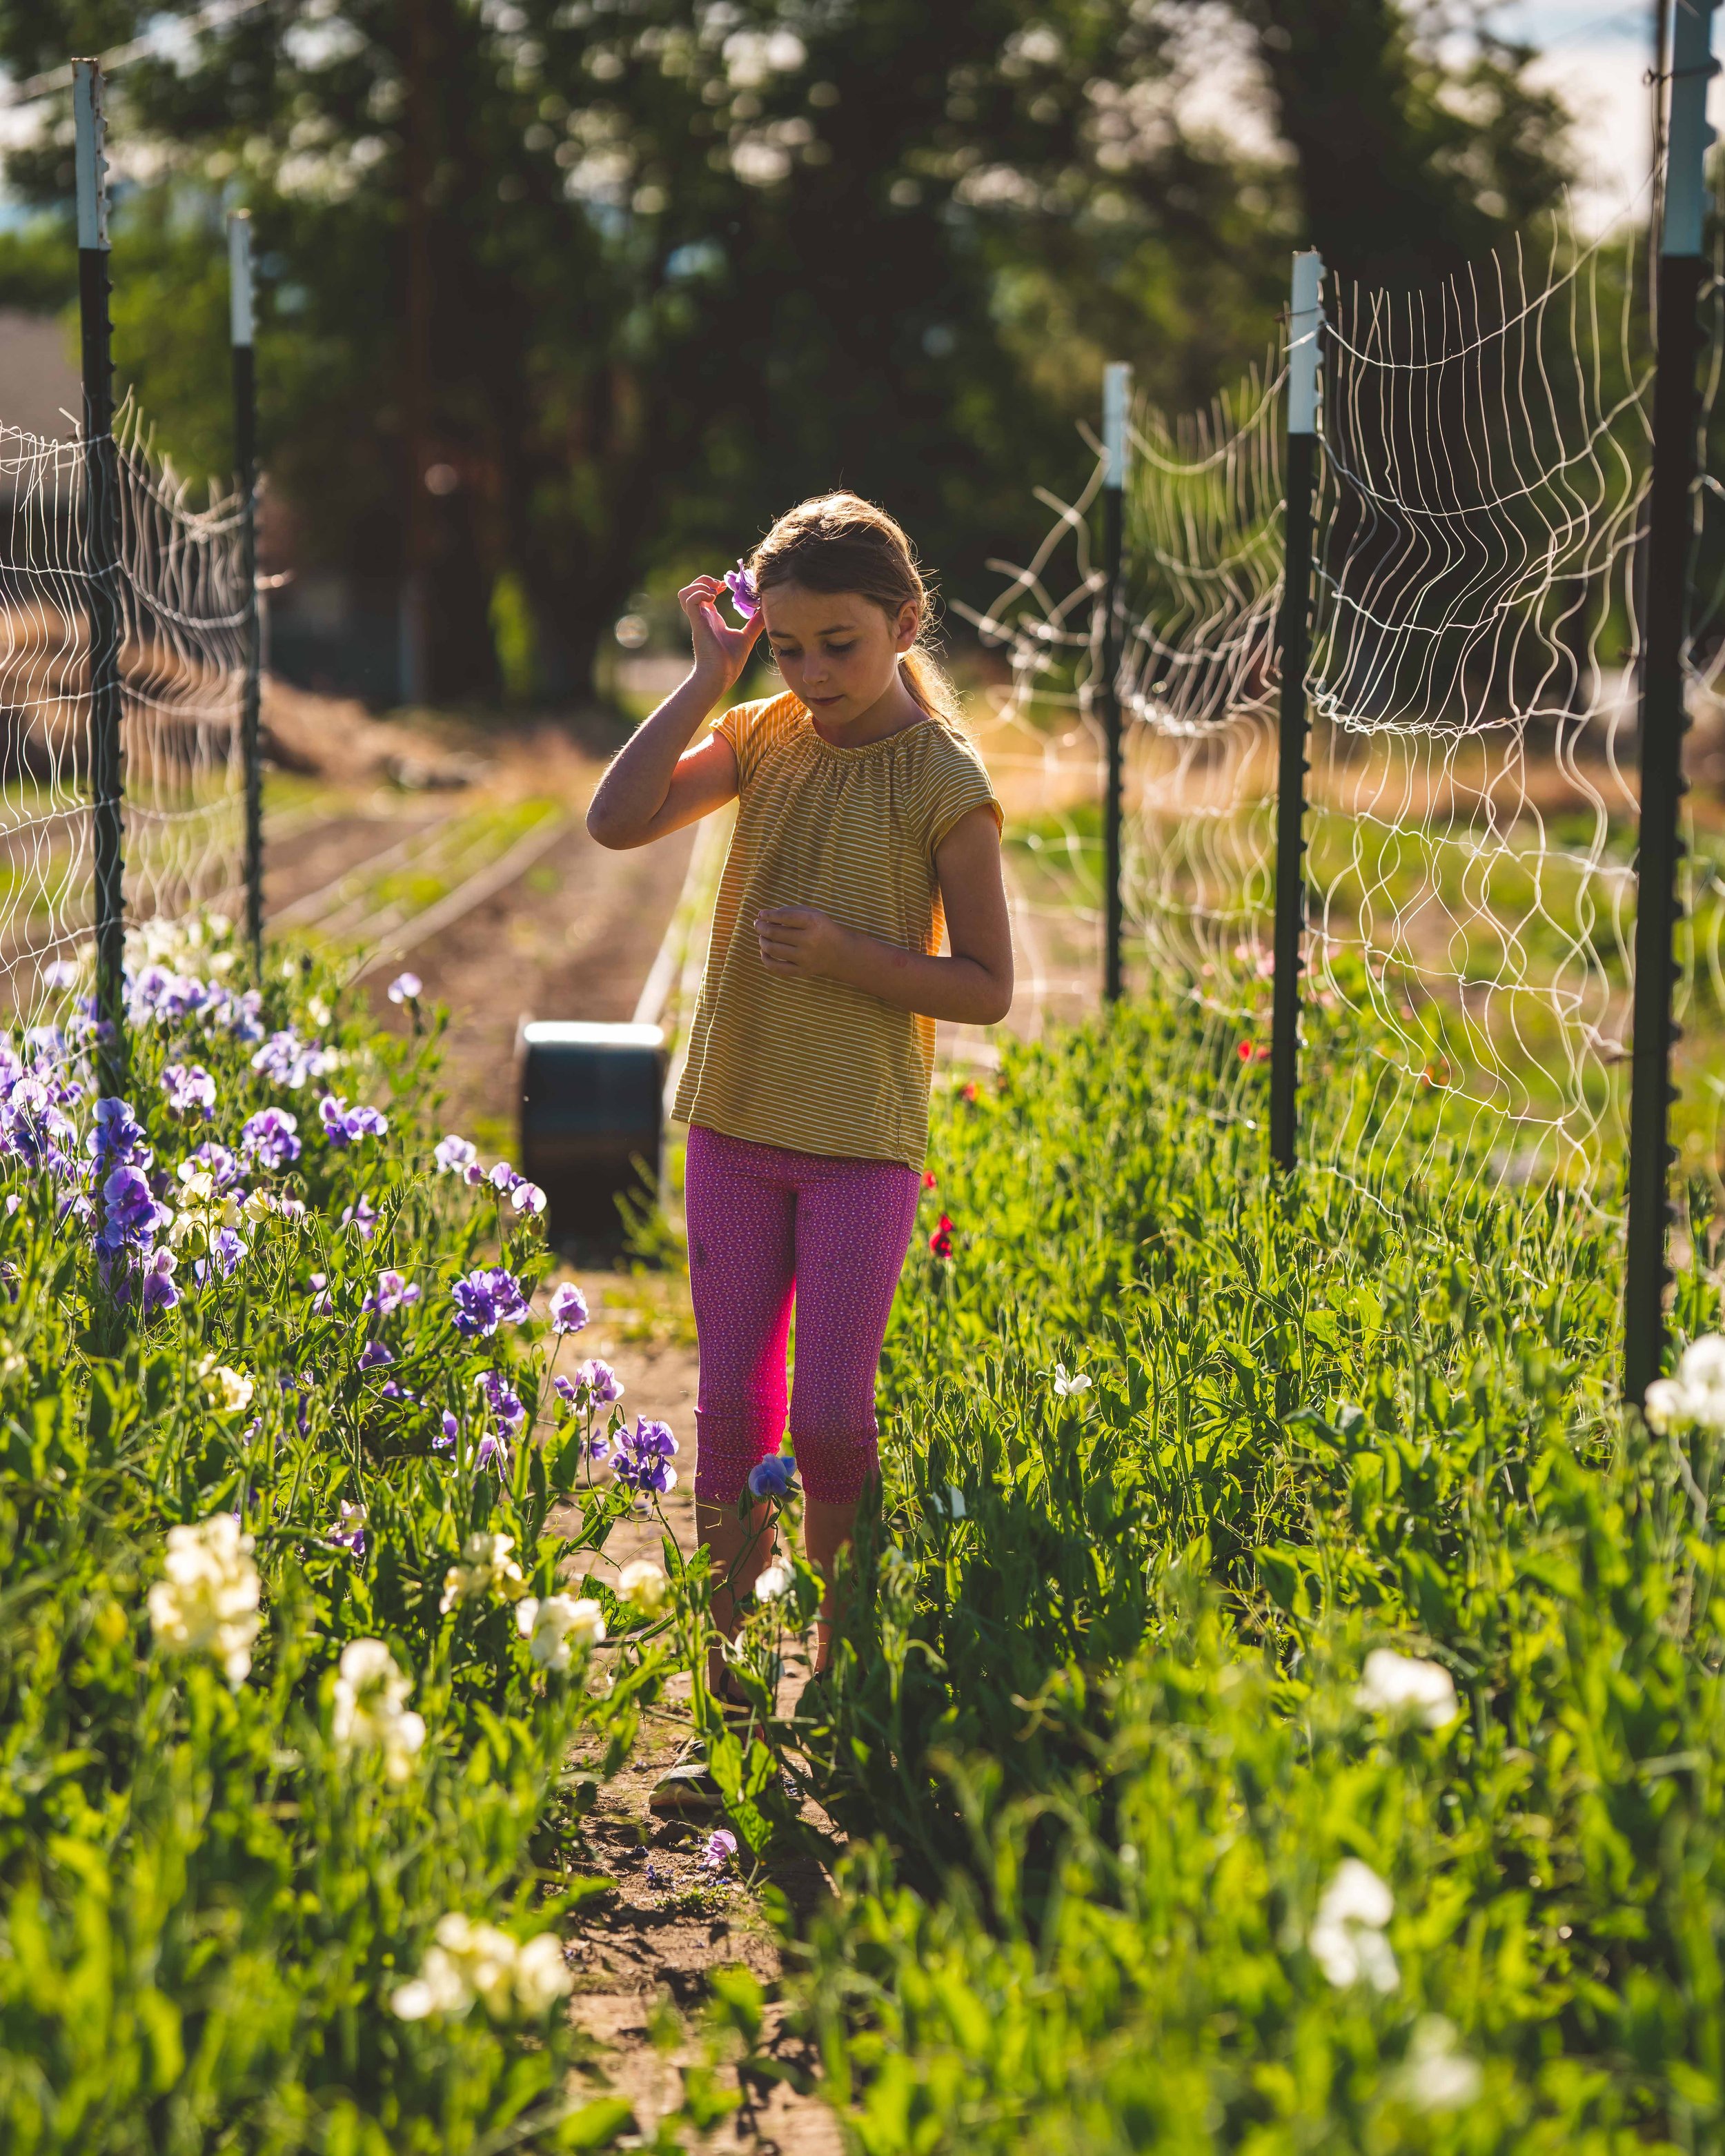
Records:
x=566, y=290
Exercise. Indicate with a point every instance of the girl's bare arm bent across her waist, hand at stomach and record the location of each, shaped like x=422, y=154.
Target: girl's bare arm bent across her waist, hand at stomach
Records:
x=974, y=986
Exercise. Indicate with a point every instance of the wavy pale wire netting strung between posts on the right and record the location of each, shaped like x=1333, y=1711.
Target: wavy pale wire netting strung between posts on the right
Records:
x=1485, y=460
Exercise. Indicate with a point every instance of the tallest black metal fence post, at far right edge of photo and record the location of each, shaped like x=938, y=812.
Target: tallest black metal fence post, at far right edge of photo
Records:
x=1664, y=719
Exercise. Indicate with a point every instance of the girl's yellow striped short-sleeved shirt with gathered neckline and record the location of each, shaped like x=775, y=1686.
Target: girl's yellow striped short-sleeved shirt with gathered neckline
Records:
x=816, y=1066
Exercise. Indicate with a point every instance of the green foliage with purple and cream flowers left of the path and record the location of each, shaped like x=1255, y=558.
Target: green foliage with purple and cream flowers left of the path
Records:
x=208, y=1894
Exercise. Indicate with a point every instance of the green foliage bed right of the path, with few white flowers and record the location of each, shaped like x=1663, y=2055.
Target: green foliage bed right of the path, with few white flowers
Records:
x=1096, y=1724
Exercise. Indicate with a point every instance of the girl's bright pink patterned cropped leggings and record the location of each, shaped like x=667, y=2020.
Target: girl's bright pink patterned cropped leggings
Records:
x=767, y=1226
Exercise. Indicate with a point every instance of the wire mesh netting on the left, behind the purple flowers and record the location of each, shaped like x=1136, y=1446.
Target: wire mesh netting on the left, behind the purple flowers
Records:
x=182, y=594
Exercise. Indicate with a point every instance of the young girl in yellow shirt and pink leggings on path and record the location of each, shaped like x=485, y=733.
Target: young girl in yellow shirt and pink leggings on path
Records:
x=866, y=825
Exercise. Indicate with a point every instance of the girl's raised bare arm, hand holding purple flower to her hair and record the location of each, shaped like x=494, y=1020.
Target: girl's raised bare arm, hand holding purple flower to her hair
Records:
x=657, y=782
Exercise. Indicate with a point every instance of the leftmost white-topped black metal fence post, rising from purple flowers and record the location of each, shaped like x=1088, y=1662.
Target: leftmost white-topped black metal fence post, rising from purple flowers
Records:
x=102, y=570
